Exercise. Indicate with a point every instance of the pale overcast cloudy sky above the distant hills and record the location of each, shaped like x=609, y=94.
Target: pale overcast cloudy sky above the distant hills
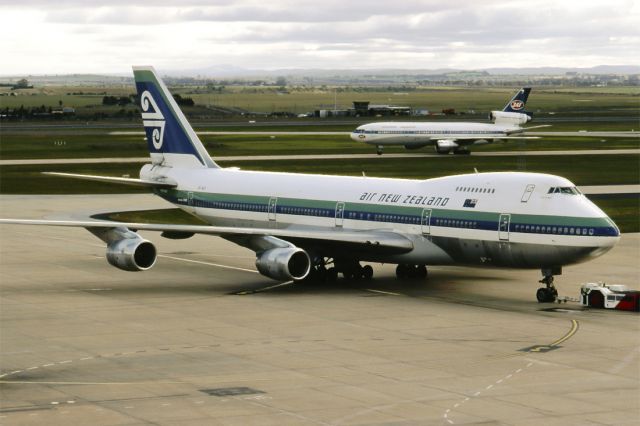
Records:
x=91, y=36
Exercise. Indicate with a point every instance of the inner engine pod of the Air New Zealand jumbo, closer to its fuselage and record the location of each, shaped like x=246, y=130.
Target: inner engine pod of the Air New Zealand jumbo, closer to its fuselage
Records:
x=284, y=263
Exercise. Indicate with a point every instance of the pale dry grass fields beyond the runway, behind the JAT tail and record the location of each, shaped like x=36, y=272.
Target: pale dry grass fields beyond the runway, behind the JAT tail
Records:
x=302, y=100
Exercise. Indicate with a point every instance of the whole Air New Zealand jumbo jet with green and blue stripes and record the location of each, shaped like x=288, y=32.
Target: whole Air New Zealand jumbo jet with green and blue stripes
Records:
x=315, y=226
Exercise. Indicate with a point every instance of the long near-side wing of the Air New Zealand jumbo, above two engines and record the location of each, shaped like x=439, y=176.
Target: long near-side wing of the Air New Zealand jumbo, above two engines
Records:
x=378, y=242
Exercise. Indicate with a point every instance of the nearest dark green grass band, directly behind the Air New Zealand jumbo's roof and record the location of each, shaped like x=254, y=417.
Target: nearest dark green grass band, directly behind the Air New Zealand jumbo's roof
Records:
x=581, y=169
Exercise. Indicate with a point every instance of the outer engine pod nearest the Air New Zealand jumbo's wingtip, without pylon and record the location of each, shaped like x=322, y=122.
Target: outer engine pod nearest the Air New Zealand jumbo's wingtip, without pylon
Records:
x=132, y=254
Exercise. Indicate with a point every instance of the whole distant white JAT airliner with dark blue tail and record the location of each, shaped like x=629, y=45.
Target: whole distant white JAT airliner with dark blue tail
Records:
x=447, y=137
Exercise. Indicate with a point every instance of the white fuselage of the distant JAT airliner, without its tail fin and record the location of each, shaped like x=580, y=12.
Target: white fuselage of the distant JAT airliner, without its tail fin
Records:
x=408, y=133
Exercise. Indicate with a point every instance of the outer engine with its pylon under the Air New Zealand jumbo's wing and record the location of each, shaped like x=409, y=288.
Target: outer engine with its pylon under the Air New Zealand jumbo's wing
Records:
x=126, y=249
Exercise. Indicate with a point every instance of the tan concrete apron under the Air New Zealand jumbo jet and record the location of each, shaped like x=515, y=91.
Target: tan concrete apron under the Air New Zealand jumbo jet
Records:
x=203, y=339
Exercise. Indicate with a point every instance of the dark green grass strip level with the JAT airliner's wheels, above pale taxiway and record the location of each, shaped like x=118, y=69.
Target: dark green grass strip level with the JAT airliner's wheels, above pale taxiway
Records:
x=97, y=144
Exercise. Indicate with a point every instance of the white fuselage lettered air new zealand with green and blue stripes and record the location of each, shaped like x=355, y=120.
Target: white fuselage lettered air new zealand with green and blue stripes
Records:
x=496, y=219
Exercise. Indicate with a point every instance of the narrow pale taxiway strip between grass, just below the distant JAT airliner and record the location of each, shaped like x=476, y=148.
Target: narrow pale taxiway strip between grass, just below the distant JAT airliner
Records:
x=320, y=157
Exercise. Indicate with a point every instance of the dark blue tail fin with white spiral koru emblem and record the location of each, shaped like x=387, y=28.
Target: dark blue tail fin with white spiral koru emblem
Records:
x=170, y=138
